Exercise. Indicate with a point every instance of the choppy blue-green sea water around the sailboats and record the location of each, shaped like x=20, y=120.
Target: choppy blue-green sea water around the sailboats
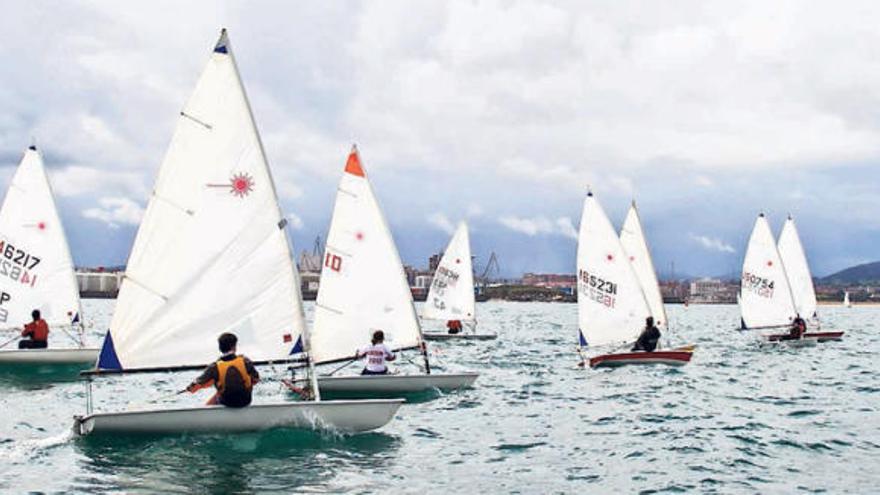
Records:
x=738, y=418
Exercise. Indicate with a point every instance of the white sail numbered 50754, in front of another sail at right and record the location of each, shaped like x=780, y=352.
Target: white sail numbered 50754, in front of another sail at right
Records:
x=766, y=299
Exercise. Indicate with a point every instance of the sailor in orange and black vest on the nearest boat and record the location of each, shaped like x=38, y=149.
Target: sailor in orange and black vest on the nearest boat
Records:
x=233, y=375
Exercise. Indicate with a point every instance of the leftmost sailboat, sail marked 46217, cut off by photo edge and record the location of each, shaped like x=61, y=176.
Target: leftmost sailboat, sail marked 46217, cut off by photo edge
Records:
x=36, y=269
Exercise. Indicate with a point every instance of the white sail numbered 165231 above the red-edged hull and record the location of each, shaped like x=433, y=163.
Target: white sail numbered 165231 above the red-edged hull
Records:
x=611, y=305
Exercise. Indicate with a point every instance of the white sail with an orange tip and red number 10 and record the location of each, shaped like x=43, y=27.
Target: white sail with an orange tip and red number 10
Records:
x=363, y=285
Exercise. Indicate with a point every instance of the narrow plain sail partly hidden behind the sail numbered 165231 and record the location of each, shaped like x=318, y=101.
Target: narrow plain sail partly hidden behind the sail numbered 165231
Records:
x=632, y=236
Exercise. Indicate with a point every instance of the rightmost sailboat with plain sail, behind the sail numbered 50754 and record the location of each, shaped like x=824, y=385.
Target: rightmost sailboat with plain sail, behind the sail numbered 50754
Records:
x=797, y=270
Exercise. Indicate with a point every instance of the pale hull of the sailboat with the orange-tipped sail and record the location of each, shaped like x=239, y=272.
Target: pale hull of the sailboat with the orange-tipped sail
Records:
x=391, y=384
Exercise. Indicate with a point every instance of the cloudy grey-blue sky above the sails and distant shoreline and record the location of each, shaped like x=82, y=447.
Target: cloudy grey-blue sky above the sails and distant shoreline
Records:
x=499, y=112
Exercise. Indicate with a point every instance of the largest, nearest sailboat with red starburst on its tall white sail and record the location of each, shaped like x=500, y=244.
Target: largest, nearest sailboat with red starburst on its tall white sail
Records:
x=212, y=256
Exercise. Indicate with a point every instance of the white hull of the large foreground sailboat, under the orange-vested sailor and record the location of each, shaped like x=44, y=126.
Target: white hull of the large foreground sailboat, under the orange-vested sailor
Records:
x=346, y=416
